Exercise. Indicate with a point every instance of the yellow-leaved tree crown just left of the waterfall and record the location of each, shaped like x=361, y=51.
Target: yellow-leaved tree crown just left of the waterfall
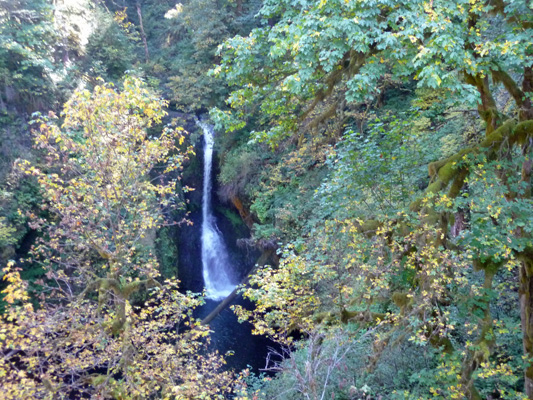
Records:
x=98, y=185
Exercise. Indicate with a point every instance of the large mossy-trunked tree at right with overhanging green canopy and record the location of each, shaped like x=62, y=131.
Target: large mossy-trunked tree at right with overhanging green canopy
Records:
x=316, y=60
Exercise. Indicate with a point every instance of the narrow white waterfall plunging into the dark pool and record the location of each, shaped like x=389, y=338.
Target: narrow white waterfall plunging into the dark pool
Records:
x=215, y=260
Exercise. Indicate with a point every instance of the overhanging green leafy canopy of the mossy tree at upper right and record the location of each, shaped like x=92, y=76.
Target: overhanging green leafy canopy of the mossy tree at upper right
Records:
x=333, y=53
